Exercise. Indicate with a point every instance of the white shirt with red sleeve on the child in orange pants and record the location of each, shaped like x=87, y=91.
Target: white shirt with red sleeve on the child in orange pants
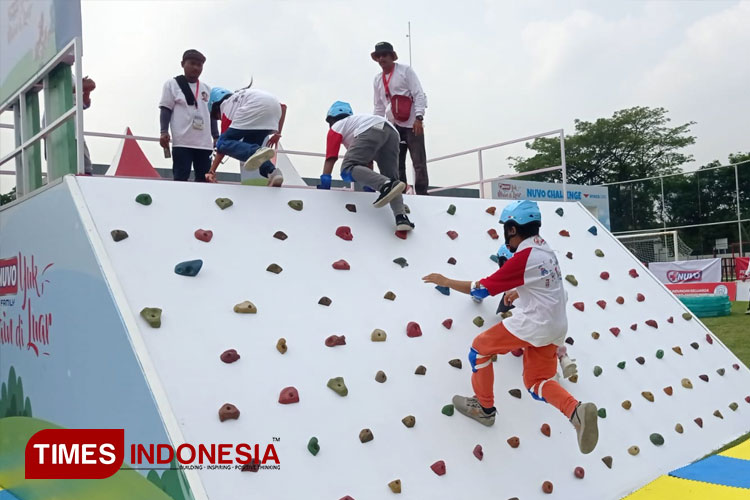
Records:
x=533, y=271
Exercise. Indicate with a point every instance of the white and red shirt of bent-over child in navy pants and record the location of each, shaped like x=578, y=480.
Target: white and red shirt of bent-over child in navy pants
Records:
x=251, y=109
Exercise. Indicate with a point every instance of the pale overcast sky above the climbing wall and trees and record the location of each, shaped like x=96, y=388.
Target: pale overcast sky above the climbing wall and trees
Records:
x=492, y=70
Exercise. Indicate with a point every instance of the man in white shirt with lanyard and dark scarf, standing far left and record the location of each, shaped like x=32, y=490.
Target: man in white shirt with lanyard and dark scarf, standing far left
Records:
x=184, y=109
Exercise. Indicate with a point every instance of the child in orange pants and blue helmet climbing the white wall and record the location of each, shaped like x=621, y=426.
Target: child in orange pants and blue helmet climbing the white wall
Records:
x=533, y=283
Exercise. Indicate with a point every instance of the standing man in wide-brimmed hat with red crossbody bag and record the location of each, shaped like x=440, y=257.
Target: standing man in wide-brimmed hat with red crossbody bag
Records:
x=399, y=97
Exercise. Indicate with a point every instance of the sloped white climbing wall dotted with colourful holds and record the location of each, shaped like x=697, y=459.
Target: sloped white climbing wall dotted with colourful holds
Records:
x=633, y=342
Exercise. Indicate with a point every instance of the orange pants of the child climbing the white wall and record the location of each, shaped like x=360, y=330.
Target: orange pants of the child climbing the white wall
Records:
x=539, y=368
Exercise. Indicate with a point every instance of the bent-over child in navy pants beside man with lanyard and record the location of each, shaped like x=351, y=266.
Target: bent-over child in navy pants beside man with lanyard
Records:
x=249, y=118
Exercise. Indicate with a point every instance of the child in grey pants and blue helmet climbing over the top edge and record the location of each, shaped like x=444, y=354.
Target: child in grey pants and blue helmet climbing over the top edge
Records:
x=366, y=138
